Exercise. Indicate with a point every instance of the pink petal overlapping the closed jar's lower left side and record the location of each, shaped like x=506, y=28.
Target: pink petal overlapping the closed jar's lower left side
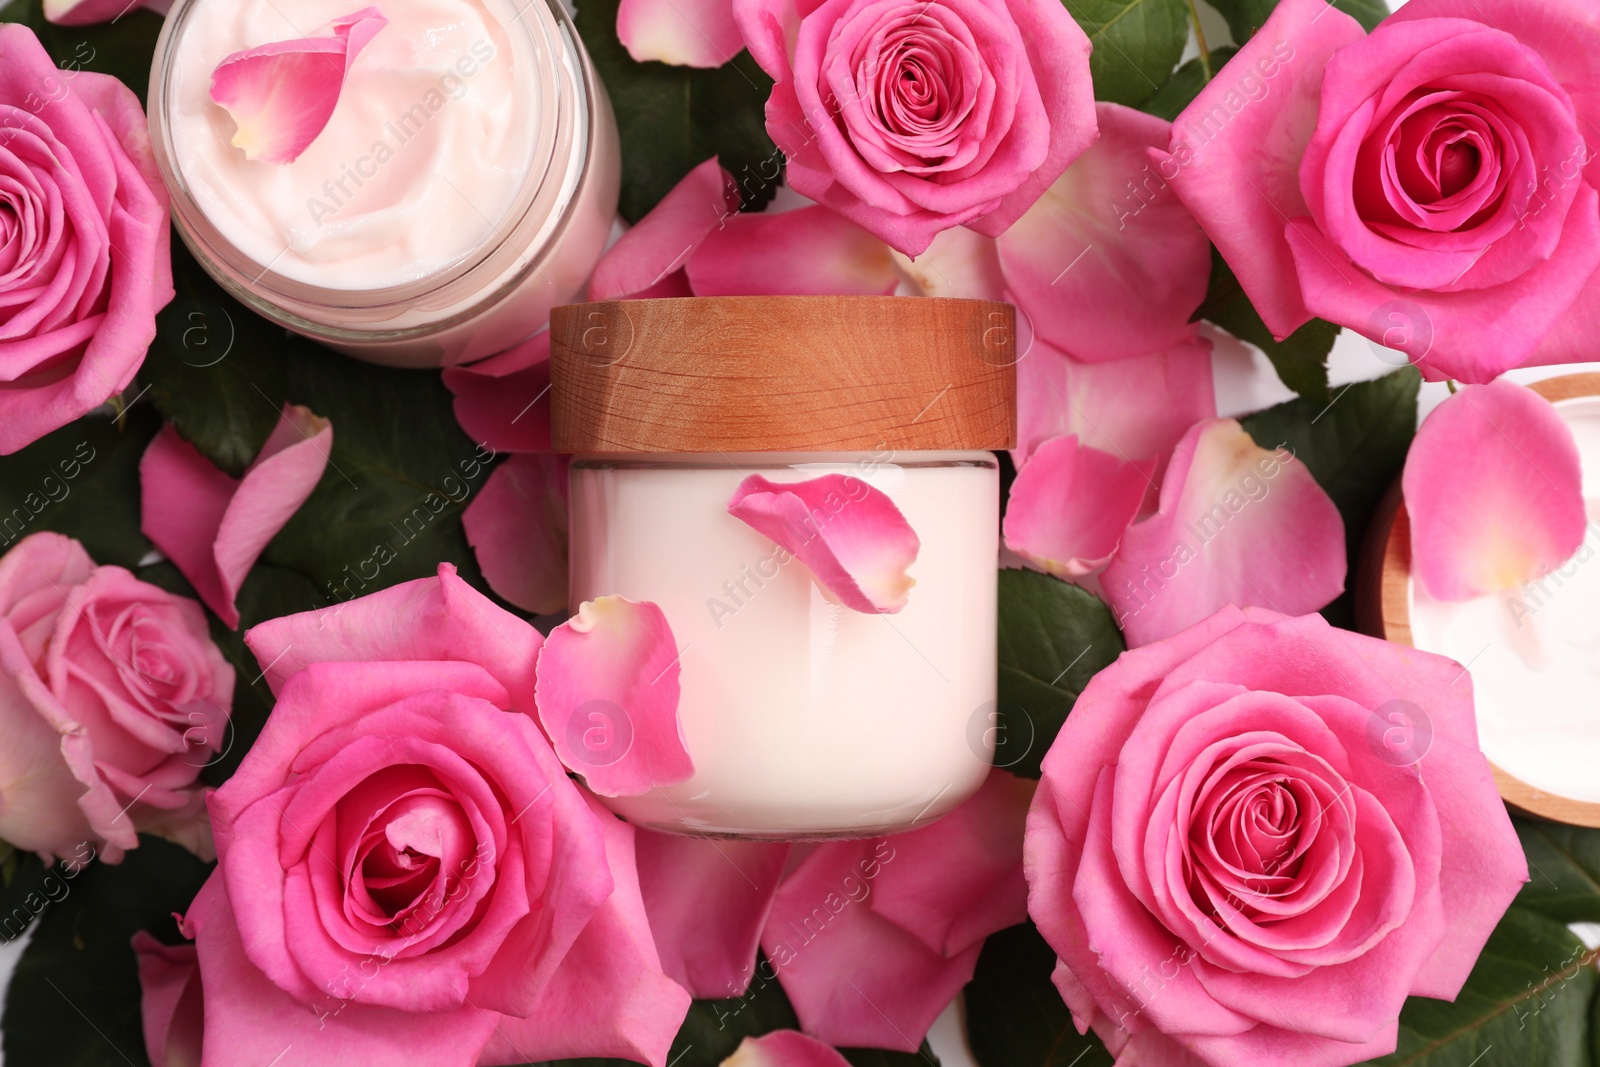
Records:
x=609, y=698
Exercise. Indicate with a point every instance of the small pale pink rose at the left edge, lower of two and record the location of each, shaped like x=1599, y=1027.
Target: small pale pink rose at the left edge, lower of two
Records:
x=113, y=698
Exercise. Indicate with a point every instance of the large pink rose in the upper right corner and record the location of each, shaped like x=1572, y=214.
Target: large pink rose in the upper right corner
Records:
x=1431, y=186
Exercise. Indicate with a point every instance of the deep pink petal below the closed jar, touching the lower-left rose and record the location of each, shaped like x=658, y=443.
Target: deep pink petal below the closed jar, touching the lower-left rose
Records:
x=708, y=903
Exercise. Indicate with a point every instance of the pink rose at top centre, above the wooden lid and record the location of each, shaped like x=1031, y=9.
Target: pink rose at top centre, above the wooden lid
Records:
x=914, y=118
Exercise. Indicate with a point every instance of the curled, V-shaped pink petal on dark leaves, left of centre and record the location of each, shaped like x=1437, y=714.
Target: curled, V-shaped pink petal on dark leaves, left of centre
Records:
x=215, y=529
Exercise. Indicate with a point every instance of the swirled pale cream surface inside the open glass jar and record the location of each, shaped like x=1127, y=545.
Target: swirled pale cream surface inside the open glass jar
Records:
x=423, y=159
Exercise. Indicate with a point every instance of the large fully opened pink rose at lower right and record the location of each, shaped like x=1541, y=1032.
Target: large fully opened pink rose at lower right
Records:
x=1254, y=841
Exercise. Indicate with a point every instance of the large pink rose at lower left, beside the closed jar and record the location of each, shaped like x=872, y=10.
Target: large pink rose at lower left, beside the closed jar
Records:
x=406, y=873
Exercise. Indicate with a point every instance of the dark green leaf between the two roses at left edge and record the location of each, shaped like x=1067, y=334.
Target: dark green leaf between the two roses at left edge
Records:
x=84, y=482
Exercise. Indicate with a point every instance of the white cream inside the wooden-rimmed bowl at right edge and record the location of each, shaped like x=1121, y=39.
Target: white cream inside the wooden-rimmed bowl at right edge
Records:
x=1535, y=652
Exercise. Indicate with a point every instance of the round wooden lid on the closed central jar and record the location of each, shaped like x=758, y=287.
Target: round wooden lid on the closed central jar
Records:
x=783, y=374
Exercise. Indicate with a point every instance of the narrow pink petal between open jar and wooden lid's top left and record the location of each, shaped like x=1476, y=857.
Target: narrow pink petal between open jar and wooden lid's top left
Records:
x=649, y=260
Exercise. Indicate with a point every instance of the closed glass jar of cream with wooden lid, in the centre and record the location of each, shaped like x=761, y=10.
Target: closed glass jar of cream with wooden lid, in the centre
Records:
x=807, y=709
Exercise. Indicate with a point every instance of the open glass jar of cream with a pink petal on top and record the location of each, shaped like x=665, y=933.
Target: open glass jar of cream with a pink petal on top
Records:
x=463, y=185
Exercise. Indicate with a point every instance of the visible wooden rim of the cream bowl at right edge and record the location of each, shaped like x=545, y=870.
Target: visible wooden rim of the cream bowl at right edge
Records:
x=1390, y=615
